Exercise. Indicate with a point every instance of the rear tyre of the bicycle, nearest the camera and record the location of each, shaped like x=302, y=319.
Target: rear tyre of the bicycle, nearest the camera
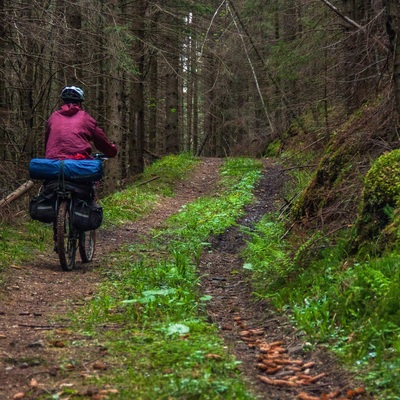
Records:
x=66, y=239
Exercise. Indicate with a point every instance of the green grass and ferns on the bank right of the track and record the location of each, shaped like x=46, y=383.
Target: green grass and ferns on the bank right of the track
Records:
x=350, y=305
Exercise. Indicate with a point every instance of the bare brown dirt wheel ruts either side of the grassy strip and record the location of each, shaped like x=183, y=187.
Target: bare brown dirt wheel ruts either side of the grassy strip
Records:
x=36, y=299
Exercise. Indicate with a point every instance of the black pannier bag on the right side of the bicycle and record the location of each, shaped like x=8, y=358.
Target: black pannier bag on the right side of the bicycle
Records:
x=86, y=216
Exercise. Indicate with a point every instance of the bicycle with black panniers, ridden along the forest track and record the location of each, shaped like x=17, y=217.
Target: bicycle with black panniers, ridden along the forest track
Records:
x=64, y=213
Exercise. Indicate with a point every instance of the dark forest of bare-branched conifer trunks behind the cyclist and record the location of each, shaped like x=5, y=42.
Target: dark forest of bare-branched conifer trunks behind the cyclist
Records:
x=214, y=78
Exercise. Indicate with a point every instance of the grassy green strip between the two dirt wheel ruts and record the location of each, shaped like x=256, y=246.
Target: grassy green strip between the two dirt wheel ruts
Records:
x=161, y=344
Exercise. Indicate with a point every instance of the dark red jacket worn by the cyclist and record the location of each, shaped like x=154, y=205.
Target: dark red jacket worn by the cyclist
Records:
x=69, y=132
